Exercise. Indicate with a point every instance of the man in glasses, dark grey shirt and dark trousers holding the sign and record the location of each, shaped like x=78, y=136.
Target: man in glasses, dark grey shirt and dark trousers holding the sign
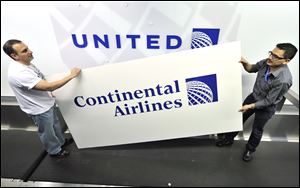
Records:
x=273, y=80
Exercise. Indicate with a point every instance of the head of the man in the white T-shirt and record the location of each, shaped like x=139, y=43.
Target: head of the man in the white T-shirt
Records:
x=18, y=51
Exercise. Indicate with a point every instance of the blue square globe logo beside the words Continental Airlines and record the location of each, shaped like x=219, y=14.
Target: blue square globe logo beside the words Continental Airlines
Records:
x=202, y=90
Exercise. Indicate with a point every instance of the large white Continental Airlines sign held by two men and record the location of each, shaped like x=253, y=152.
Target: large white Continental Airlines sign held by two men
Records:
x=188, y=93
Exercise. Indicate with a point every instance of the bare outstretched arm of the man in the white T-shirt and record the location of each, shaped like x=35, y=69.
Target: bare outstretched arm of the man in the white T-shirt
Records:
x=44, y=85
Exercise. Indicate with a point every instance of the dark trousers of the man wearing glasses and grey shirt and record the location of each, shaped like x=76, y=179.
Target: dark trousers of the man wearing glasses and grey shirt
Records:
x=261, y=118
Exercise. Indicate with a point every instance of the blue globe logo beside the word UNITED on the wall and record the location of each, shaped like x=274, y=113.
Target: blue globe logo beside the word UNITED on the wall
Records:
x=204, y=37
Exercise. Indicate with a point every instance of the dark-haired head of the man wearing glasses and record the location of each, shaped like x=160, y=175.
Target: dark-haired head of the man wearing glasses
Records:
x=281, y=54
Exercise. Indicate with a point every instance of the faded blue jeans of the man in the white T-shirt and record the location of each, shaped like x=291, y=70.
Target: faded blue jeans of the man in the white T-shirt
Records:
x=49, y=130
